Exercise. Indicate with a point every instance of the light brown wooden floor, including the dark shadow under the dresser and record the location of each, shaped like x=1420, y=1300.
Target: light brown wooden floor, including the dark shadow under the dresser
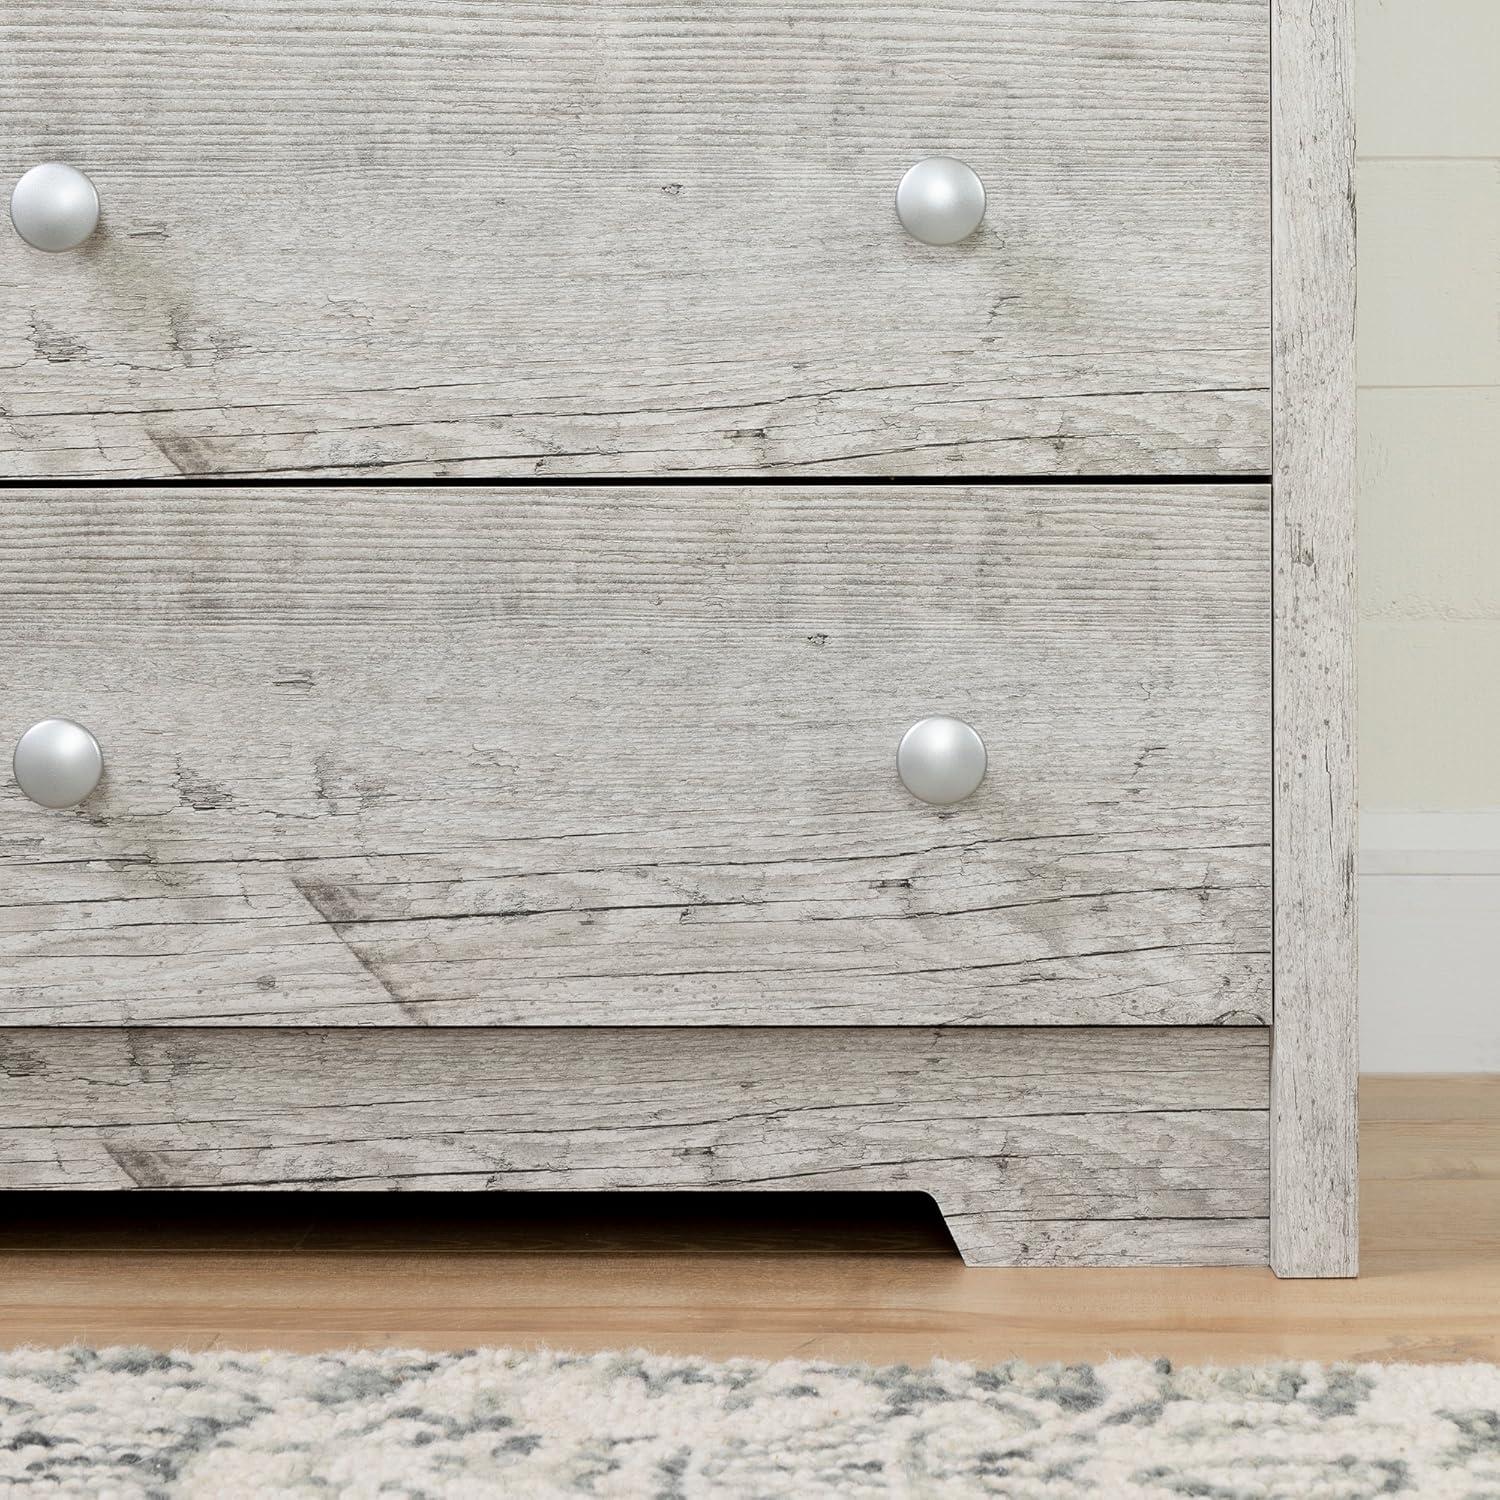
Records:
x=830, y=1277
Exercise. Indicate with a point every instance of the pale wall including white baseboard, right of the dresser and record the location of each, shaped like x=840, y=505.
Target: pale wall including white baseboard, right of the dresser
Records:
x=1429, y=184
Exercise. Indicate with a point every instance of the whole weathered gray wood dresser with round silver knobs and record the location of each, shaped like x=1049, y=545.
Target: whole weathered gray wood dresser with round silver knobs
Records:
x=614, y=596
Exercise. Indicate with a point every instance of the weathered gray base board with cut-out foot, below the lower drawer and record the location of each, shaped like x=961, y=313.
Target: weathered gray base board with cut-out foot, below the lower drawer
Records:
x=1043, y=1147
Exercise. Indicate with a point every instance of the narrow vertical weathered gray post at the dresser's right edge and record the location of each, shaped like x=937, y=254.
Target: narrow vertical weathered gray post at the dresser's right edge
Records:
x=1315, y=1124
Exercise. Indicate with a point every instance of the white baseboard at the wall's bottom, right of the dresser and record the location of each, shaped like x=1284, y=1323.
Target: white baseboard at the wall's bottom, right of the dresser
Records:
x=1430, y=943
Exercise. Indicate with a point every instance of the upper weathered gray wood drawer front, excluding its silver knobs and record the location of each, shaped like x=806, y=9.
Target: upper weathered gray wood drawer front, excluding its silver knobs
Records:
x=638, y=238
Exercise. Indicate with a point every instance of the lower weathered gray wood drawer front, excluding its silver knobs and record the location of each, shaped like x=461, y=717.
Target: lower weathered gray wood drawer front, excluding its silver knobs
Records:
x=629, y=757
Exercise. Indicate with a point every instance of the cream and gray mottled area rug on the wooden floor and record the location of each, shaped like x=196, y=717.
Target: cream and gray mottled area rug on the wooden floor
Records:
x=127, y=1423
